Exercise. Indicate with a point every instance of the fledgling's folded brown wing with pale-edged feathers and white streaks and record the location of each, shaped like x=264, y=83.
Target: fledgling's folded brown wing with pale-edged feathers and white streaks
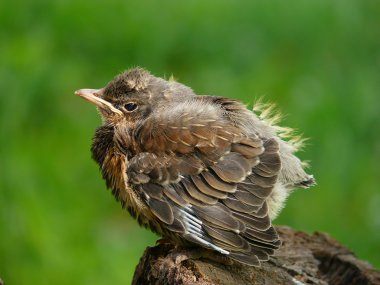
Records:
x=207, y=182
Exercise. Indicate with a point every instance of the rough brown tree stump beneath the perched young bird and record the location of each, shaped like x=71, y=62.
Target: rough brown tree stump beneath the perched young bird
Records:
x=302, y=259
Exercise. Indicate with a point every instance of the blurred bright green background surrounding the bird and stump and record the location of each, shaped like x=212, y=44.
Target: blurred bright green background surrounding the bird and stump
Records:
x=318, y=60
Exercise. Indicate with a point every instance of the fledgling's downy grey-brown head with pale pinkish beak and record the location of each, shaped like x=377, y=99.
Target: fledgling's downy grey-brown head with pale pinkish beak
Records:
x=133, y=95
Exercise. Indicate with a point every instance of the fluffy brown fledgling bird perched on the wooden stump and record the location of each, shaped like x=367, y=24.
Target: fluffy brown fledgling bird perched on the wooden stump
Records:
x=199, y=170
